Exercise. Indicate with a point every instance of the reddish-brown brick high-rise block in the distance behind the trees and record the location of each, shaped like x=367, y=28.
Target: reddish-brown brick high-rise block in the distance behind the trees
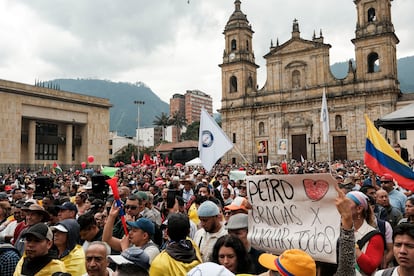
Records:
x=190, y=105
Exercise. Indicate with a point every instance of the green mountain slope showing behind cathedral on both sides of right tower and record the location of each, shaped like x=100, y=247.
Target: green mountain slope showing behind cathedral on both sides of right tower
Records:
x=405, y=67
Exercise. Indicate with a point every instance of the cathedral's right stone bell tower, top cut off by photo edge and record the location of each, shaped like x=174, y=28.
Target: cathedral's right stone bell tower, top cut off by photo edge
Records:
x=375, y=41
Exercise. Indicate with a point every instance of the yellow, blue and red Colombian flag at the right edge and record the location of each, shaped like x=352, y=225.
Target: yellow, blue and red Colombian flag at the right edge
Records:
x=382, y=158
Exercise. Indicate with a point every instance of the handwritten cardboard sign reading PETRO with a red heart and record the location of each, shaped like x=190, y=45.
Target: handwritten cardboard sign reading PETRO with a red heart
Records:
x=294, y=211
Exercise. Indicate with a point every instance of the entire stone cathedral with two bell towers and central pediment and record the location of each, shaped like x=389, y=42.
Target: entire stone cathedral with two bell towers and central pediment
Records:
x=287, y=108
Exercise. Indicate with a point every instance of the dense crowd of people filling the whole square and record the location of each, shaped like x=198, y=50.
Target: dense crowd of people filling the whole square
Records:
x=185, y=221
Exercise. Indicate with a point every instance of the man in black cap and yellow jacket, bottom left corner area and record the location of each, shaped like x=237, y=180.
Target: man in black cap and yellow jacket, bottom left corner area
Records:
x=36, y=259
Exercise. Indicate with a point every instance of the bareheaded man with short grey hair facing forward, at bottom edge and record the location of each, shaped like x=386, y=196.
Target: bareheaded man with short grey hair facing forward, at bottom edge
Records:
x=97, y=261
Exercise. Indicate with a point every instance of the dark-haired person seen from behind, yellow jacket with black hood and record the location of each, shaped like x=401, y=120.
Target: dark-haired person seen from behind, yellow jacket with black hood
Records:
x=180, y=255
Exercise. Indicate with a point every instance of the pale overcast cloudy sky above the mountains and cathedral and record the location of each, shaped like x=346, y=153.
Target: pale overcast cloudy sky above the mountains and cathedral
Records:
x=170, y=45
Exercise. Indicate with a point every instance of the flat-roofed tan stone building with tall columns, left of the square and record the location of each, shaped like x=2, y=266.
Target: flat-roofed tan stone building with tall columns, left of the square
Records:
x=41, y=126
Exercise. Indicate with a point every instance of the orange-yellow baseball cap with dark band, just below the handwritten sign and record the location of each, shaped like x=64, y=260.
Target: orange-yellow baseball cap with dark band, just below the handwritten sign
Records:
x=291, y=262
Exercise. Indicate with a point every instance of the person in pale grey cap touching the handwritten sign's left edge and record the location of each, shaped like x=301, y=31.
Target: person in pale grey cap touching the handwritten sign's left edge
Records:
x=238, y=226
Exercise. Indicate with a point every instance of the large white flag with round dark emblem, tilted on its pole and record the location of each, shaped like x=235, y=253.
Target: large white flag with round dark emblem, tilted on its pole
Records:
x=213, y=142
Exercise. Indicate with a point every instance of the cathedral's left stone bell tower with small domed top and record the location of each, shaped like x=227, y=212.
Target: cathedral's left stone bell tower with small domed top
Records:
x=239, y=77
